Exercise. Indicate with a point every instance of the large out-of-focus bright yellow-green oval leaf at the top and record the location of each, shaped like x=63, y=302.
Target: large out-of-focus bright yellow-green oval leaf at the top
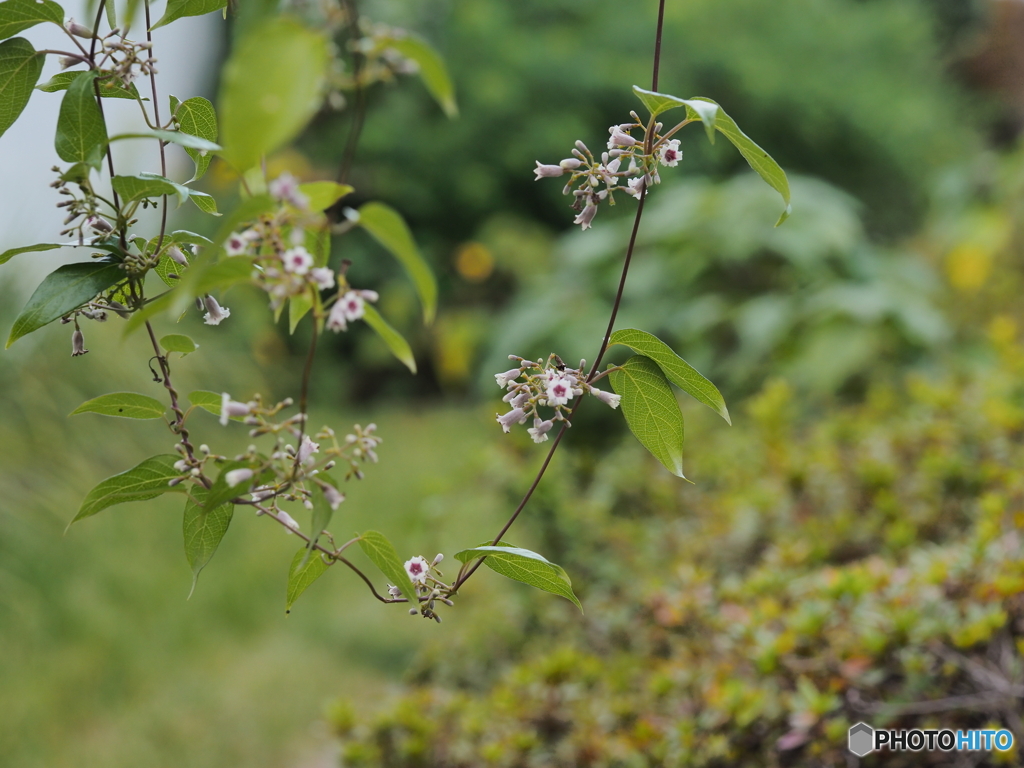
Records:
x=272, y=86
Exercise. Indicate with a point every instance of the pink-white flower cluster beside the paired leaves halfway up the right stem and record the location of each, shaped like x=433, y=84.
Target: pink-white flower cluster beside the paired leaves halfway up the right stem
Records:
x=545, y=385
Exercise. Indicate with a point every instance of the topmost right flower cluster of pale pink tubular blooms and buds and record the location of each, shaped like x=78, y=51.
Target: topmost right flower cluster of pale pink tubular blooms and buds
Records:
x=630, y=166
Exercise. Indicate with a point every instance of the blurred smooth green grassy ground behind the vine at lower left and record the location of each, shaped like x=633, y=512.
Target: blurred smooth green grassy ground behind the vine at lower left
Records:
x=105, y=664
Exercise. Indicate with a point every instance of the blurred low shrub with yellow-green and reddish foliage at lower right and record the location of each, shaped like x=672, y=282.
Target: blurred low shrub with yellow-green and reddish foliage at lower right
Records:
x=865, y=568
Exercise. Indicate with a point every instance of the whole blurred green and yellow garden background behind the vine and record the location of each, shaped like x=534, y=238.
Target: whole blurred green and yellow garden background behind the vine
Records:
x=848, y=550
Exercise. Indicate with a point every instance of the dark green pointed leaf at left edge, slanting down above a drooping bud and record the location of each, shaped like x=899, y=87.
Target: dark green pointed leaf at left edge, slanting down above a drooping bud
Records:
x=62, y=291
